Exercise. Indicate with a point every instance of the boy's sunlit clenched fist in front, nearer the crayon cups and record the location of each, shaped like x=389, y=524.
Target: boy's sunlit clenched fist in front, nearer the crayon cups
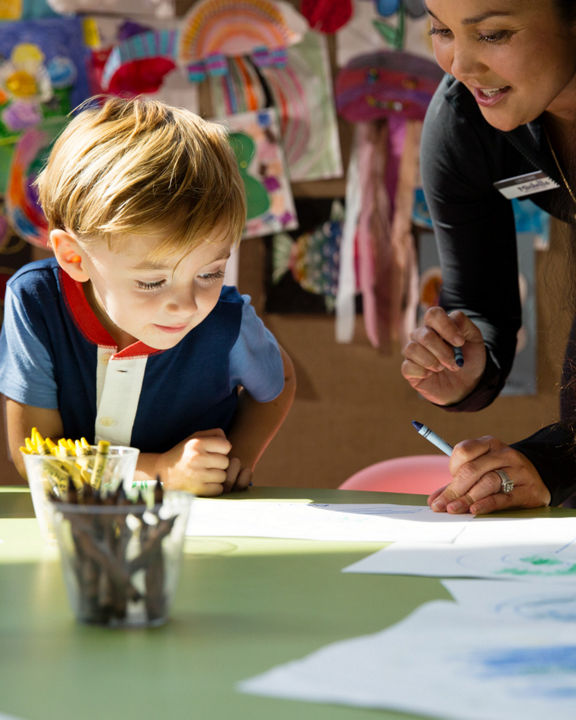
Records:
x=199, y=464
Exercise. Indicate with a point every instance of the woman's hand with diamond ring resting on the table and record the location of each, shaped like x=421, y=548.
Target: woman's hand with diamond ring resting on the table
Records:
x=477, y=488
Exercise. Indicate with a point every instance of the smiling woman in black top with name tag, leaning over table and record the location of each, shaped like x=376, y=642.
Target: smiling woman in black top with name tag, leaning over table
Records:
x=500, y=125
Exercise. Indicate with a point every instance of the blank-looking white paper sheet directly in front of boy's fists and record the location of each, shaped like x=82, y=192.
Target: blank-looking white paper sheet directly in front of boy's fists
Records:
x=314, y=521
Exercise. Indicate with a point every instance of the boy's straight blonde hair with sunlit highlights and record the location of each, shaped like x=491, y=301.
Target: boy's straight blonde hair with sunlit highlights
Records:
x=128, y=165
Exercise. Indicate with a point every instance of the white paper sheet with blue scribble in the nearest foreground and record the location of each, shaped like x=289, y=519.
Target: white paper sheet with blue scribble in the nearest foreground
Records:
x=445, y=661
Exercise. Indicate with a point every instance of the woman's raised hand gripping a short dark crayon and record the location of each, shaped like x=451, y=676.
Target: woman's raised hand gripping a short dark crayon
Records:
x=429, y=365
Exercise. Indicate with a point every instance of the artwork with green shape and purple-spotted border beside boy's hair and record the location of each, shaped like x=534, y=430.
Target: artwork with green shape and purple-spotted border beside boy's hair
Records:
x=255, y=138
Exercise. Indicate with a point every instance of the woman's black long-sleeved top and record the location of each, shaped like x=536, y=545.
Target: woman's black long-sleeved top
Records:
x=462, y=156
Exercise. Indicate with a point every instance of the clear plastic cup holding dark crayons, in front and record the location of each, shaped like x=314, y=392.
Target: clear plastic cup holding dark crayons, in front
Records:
x=121, y=562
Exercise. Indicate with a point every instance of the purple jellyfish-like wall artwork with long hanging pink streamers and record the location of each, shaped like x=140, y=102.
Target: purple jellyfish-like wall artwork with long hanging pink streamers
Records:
x=386, y=94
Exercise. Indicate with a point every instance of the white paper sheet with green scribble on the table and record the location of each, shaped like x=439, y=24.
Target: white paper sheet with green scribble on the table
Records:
x=519, y=549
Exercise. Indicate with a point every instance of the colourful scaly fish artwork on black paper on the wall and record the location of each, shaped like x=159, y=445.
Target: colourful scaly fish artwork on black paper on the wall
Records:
x=303, y=266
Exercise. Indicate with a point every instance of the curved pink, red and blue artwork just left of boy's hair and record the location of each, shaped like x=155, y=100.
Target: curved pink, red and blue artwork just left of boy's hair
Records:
x=24, y=214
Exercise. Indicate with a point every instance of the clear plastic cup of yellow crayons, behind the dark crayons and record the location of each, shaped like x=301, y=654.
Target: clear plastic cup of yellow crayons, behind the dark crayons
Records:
x=49, y=474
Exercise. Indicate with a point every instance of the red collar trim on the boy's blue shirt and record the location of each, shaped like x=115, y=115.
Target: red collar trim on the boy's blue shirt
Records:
x=88, y=323
